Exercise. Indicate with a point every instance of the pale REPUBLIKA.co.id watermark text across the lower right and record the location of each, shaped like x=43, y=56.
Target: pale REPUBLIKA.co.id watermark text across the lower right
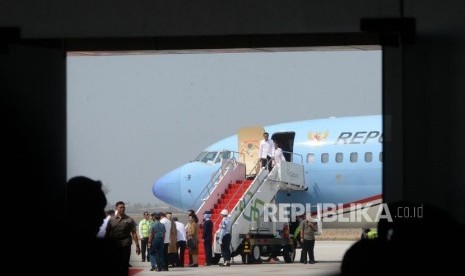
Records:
x=330, y=212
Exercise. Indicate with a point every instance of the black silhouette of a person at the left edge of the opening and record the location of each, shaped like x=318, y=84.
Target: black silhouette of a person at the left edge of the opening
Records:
x=85, y=253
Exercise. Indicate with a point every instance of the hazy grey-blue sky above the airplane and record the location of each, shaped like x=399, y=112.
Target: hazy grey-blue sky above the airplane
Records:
x=133, y=118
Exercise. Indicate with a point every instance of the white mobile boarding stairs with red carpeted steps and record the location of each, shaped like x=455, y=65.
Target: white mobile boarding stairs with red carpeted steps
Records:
x=245, y=197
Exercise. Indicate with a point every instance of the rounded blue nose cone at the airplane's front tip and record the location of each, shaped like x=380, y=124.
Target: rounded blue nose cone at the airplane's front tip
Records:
x=168, y=188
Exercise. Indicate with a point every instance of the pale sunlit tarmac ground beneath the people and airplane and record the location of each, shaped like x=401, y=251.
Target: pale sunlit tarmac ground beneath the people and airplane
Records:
x=328, y=255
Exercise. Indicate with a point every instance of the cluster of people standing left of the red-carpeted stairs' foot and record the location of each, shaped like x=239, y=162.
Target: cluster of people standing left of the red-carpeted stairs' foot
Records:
x=165, y=248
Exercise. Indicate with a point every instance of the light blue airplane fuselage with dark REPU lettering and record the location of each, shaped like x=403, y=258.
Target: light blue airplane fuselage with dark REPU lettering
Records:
x=341, y=160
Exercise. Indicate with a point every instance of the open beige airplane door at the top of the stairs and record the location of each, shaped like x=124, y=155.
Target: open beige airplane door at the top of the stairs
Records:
x=248, y=142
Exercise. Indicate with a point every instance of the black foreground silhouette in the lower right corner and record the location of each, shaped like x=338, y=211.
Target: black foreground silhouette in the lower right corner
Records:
x=418, y=244
